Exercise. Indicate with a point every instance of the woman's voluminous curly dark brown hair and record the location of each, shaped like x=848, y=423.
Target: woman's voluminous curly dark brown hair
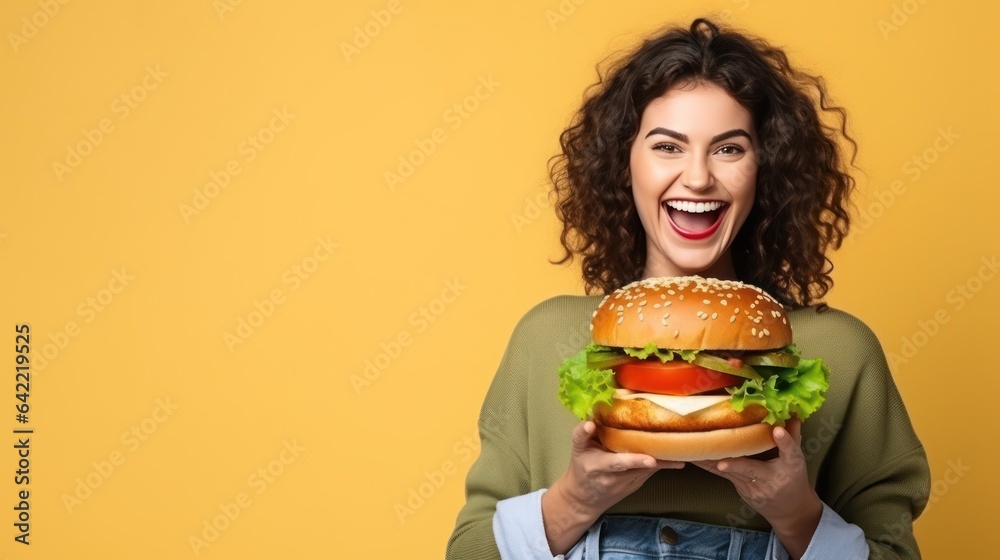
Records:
x=803, y=189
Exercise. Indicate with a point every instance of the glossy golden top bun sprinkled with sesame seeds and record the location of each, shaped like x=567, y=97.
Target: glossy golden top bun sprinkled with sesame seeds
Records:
x=691, y=313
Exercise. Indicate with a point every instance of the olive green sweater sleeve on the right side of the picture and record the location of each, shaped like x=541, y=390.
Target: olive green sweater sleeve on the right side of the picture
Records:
x=877, y=476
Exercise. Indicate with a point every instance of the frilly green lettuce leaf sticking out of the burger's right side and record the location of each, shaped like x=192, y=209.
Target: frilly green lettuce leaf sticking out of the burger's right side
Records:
x=787, y=391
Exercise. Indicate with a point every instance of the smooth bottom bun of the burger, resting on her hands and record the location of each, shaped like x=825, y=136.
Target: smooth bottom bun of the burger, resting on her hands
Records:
x=690, y=446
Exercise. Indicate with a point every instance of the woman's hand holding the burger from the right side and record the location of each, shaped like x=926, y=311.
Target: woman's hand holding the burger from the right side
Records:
x=778, y=489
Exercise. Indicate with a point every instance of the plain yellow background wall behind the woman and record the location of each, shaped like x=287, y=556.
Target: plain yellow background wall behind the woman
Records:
x=472, y=214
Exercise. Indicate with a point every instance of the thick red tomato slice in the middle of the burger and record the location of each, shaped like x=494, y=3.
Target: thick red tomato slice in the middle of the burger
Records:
x=675, y=377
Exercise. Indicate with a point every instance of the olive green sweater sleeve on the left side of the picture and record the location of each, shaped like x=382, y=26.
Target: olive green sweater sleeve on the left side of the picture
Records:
x=501, y=469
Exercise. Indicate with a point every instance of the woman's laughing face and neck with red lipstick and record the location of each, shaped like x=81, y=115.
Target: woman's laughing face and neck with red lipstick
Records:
x=693, y=168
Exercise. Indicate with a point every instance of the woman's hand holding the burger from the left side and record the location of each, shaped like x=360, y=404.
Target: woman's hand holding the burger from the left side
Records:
x=595, y=480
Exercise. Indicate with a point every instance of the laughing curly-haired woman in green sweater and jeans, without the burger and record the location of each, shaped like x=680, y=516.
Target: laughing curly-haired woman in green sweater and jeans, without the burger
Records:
x=698, y=115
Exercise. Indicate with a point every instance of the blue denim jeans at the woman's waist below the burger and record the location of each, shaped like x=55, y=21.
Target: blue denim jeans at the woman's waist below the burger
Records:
x=621, y=537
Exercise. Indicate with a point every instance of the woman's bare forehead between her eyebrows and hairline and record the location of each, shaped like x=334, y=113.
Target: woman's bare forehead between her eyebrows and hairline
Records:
x=703, y=108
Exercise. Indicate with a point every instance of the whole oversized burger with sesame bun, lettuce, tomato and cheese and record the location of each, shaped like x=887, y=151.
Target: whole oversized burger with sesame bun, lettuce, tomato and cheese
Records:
x=690, y=368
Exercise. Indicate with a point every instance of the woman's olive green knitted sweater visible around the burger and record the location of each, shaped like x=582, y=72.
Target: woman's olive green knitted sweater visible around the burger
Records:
x=863, y=456
